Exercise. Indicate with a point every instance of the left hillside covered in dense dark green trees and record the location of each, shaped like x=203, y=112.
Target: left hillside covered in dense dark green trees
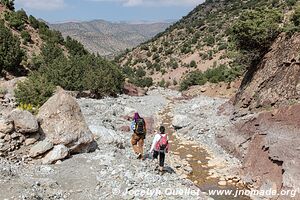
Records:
x=28, y=47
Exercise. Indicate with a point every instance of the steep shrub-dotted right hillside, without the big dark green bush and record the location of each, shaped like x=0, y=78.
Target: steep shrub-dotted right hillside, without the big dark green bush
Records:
x=199, y=41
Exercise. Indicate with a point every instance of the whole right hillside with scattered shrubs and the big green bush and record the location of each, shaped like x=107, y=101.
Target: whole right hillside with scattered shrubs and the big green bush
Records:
x=215, y=42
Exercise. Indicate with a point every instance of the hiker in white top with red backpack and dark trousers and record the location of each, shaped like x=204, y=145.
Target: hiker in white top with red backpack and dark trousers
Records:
x=160, y=146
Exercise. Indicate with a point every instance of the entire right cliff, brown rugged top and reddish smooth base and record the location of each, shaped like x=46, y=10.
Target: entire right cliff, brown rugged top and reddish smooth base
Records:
x=268, y=140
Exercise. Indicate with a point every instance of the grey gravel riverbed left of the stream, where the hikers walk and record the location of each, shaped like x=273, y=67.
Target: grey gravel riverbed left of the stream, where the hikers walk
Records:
x=112, y=171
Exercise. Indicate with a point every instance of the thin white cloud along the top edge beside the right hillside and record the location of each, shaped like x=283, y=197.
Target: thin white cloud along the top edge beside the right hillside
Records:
x=155, y=2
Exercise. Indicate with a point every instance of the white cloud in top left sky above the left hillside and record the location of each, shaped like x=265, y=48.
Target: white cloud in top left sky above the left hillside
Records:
x=41, y=4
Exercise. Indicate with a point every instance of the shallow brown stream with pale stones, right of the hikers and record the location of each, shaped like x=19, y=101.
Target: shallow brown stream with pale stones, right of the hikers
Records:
x=197, y=157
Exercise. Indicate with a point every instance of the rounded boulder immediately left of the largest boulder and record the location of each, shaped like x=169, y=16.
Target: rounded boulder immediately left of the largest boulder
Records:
x=24, y=121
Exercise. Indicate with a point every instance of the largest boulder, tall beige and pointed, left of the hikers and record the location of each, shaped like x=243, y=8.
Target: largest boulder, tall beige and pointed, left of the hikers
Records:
x=63, y=123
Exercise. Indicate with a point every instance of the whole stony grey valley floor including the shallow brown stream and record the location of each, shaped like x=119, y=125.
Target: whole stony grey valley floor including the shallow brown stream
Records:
x=196, y=162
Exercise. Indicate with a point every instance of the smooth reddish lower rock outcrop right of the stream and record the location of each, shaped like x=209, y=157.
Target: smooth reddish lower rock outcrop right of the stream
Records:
x=268, y=145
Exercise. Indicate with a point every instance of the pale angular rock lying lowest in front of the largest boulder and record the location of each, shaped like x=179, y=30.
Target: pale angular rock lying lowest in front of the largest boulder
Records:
x=57, y=153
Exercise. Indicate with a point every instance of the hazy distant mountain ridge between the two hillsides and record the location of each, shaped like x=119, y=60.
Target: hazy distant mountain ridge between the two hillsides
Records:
x=108, y=38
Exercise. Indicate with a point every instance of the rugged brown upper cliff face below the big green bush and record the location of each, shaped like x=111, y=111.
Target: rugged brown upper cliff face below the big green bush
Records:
x=275, y=81
